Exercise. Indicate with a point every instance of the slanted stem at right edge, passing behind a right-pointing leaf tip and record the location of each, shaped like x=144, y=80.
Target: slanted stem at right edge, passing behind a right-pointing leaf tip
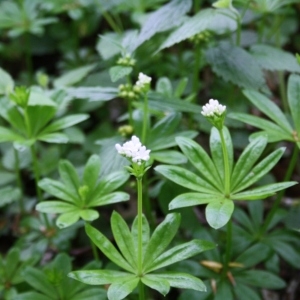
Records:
x=277, y=202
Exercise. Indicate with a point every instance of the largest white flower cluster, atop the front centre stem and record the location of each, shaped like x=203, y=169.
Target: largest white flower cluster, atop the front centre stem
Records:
x=134, y=150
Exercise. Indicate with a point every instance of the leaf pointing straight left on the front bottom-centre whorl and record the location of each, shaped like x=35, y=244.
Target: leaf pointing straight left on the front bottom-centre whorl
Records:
x=99, y=277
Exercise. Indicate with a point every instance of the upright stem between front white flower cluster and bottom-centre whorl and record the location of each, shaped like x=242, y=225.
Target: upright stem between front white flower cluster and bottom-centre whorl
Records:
x=140, y=226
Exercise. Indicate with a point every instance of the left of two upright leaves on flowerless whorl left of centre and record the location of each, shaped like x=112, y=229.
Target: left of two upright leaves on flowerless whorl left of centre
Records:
x=69, y=177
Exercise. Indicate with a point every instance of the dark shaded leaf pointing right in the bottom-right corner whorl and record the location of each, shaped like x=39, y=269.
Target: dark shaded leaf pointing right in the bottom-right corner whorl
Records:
x=262, y=279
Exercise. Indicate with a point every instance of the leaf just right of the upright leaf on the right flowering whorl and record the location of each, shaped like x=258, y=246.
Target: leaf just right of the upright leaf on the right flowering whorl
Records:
x=247, y=159
